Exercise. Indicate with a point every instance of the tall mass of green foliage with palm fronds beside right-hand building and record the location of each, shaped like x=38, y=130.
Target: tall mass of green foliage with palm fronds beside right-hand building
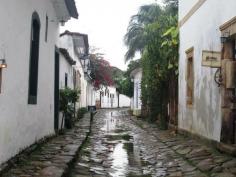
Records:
x=159, y=55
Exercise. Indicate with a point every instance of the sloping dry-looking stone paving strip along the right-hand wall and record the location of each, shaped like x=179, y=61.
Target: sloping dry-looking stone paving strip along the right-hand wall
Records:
x=204, y=158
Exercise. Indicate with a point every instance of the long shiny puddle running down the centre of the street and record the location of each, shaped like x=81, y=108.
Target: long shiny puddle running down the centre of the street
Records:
x=125, y=156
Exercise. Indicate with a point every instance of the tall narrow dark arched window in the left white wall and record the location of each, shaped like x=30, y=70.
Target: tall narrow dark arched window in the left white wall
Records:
x=34, y=57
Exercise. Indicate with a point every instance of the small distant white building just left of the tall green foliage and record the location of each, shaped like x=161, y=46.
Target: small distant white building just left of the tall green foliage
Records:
x=136, y=100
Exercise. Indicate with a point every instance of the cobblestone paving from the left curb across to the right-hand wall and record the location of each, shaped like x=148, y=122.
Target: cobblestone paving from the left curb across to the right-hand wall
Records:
x=125, y=146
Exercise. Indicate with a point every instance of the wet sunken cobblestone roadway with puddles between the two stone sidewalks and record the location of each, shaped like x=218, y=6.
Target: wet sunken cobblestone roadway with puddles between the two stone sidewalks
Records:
x=114, y=151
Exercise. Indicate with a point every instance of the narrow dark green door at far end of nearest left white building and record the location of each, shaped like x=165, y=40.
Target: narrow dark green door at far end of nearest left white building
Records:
x=56, y=91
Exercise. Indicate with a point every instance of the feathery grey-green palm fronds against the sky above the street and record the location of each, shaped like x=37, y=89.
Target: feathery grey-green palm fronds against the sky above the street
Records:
x=135, y=38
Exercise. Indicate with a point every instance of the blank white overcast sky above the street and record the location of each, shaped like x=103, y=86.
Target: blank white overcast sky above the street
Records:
x=105, y=22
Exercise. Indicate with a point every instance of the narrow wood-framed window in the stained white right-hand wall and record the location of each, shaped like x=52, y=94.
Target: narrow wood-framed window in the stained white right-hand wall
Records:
x=190, y=76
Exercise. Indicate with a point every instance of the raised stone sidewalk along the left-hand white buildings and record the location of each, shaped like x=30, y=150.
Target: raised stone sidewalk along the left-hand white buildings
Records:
x=55, y=157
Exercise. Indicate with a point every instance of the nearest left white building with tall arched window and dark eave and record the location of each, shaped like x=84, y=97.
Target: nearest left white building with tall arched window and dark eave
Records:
x=28, y=97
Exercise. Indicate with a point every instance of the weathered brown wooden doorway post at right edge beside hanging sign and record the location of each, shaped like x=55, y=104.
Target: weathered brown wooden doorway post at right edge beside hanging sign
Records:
x=228, y=93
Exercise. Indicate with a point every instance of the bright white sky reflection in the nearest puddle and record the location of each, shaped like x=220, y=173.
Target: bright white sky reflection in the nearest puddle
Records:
x=120, y=161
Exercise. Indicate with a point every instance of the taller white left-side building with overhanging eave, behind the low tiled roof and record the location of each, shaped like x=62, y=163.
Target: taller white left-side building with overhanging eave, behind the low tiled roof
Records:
x=78, y=48
